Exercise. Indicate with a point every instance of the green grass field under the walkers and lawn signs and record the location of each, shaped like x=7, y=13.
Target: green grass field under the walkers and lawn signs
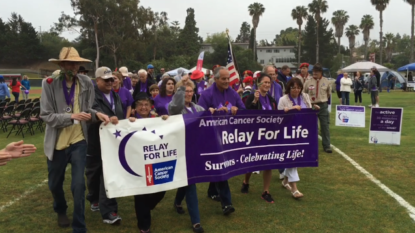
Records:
x=338, y=198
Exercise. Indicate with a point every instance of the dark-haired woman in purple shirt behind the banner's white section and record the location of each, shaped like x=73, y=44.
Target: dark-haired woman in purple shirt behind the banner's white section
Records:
x=162, y=101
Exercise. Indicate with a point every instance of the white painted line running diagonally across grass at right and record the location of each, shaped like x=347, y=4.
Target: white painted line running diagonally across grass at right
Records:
x=398, y=198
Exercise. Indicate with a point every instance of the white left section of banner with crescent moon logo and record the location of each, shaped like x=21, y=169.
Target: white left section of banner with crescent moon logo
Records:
x=144, y=155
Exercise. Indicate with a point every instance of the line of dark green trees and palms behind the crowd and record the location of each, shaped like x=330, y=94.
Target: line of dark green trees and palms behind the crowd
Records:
x=118, y=33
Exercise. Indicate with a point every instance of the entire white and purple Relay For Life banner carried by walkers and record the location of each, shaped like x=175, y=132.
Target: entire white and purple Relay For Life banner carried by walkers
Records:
x=153, y=155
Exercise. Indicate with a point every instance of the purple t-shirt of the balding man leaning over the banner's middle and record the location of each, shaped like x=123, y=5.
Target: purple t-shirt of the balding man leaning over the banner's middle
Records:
x=213, y=98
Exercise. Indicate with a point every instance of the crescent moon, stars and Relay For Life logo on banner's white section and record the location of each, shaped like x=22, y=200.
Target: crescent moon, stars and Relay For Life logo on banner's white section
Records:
x=156, y=172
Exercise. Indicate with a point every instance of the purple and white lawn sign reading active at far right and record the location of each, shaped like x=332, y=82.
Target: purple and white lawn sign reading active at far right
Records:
x=386, y=126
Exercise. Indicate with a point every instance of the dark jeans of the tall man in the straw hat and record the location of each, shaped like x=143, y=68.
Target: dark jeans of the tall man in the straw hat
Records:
x=76, y=155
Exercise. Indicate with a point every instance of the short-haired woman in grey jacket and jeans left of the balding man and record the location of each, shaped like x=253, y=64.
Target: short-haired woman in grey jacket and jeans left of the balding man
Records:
x=182, y=104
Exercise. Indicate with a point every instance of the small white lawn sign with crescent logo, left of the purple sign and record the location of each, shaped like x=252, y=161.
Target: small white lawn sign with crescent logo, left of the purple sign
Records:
x=350, y=116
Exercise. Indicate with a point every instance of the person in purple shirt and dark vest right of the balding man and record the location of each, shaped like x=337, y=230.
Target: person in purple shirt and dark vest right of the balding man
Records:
x=261, y=100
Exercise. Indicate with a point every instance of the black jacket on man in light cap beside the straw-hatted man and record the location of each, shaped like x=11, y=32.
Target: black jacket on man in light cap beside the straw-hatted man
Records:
x=101, y=105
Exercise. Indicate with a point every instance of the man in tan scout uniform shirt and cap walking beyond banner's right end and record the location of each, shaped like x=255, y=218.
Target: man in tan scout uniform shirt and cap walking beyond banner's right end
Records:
x=319, y=89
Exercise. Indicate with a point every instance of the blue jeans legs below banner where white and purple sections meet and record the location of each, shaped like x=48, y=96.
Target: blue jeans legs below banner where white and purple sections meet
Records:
x=191, y=201
